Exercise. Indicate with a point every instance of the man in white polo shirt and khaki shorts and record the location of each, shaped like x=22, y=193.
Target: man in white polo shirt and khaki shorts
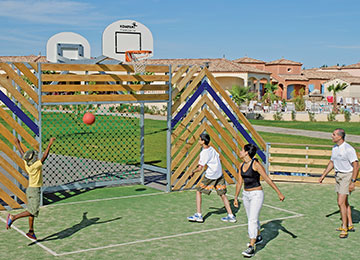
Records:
x=346, y=165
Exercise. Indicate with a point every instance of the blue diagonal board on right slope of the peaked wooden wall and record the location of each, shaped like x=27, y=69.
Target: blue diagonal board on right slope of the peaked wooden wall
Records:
x=233, y=119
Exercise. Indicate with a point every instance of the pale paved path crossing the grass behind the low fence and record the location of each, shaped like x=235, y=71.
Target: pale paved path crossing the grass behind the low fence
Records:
x=307, y=133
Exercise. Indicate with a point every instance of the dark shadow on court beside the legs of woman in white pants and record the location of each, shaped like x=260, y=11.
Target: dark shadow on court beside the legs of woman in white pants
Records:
x=271, y=231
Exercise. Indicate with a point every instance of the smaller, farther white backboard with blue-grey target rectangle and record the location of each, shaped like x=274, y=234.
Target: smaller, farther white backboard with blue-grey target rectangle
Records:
x=67, y=45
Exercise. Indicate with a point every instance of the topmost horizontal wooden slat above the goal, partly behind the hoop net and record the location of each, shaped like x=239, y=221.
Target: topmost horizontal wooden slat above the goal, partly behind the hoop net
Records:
x=101, y=67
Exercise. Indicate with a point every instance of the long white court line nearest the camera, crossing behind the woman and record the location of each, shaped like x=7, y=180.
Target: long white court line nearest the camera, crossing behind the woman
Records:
x=168, y=237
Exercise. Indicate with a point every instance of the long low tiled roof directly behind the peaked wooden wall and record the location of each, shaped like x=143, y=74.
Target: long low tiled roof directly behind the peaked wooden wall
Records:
x=215, y=65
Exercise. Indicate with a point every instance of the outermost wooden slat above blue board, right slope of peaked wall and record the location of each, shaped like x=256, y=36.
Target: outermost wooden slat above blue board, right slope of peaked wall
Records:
x=236, y=110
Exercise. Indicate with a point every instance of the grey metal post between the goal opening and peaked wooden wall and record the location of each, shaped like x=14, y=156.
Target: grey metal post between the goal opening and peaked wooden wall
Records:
x=168, y=135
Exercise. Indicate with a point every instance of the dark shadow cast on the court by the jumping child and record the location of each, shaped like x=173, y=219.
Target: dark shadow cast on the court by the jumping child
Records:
x=84, y=223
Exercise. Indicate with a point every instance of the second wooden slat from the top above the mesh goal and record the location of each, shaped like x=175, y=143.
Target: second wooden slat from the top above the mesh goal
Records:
x=103, y=77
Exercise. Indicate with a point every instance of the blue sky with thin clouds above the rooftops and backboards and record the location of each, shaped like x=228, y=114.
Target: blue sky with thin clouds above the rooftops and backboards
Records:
x=314, y=32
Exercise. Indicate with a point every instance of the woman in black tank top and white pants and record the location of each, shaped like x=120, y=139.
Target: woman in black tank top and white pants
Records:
x=249, y=173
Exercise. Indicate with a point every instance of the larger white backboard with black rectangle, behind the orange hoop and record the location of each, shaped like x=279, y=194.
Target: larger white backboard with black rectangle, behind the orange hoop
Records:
x=126, y=35
